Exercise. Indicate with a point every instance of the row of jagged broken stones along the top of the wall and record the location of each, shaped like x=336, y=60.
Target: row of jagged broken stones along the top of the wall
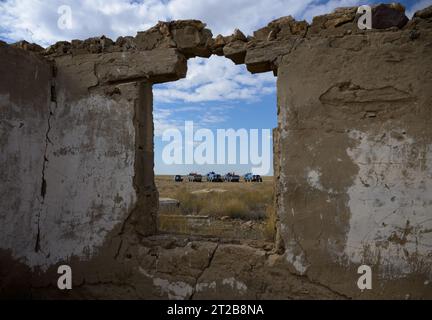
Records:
x=259, y=52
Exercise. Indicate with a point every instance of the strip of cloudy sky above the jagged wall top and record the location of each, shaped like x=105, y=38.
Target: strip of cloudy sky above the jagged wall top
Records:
x=36, y=20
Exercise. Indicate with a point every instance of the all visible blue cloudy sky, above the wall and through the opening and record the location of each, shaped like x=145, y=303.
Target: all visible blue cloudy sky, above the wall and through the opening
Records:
x=216, y=93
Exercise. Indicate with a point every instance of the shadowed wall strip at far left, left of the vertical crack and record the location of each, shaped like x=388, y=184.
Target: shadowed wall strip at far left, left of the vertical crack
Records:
x=25, y=104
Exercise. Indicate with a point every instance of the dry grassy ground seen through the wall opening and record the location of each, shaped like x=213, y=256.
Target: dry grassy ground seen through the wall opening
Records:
x=221, y=209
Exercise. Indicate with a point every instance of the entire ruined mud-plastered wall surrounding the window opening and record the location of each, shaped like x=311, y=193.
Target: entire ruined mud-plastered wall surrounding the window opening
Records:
x=352, y=163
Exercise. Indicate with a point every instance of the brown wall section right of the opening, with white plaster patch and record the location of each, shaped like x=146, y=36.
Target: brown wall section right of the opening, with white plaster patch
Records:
x=356, y=159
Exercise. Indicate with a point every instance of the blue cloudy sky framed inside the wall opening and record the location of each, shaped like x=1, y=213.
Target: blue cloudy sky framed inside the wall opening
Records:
x=215, y=95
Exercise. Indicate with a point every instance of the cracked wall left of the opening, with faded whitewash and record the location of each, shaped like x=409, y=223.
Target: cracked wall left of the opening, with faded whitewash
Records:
x=78, y=163
